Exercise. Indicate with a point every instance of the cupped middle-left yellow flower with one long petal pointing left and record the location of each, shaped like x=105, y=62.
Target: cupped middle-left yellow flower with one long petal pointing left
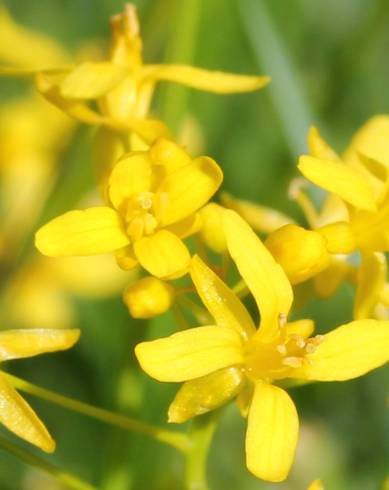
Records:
x=153, y=197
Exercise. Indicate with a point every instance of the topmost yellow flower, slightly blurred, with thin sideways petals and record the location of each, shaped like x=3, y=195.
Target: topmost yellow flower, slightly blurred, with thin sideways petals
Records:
x=123, y=86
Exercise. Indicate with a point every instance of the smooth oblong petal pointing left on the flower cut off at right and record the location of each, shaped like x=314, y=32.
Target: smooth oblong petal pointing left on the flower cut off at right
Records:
x=340, y=179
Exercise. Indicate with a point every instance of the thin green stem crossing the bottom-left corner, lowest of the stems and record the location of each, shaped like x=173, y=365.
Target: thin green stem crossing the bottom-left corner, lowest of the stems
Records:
x=67, y=479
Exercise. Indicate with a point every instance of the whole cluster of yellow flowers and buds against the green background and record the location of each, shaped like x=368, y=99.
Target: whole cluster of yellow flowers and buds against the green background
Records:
x=156, y=217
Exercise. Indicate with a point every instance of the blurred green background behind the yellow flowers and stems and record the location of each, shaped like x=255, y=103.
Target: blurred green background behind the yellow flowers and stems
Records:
x=329, y=64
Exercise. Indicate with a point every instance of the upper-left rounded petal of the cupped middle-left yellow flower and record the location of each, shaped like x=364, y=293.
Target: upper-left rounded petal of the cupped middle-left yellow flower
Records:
x=130, y=175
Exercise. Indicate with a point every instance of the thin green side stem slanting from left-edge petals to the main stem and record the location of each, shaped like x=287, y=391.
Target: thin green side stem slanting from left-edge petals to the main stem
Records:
x=175, y=439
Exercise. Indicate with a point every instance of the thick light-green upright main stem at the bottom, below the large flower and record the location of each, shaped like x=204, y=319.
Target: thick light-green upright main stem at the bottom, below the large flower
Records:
x=201, y=433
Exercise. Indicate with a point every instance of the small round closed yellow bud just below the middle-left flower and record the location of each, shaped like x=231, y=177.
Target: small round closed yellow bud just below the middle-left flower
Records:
x=148, y=297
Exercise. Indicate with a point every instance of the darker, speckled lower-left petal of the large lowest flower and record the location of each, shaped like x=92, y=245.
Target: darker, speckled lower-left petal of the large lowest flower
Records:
x=204, y=394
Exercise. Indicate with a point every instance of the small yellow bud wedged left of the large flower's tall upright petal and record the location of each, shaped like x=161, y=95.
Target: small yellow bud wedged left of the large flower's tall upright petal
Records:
x=212, y=228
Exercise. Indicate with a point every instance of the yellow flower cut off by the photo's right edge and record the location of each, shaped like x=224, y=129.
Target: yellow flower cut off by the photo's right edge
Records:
x=358, y=185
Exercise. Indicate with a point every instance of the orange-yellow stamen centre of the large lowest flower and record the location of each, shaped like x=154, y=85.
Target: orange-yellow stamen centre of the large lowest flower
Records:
x=276, y=359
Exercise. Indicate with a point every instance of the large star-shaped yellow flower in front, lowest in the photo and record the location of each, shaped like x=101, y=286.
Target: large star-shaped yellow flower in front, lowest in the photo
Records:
x=232, y=358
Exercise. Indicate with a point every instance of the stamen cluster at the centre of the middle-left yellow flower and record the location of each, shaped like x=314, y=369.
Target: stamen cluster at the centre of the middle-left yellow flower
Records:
x=142, y=214
